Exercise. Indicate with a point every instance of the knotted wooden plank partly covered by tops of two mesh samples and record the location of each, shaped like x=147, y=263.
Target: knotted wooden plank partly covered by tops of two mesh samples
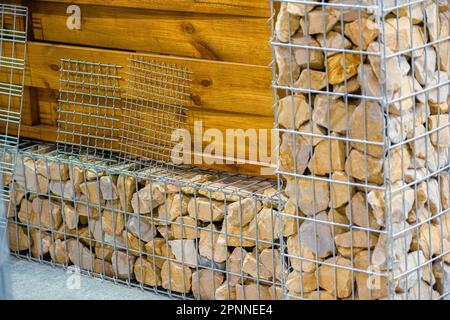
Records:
x=215, y=85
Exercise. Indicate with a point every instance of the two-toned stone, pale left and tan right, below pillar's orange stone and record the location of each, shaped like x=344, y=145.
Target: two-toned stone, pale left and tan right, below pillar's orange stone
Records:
x=332, y=113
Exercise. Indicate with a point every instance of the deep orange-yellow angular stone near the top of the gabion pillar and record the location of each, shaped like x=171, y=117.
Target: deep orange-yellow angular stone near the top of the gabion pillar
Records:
x=335, y=65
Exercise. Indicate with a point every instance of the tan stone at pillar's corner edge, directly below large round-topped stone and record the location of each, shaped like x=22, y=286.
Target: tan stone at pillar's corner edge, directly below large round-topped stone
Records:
x=365, y=168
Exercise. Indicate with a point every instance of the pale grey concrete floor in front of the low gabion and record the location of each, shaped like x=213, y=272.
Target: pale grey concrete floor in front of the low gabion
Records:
x=36, y=281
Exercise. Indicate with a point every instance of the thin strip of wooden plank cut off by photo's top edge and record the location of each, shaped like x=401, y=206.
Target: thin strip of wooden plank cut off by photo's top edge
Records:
x=254, y=8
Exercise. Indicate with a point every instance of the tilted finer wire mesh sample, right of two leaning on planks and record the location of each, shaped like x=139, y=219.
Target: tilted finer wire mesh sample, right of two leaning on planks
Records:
x=155, y=99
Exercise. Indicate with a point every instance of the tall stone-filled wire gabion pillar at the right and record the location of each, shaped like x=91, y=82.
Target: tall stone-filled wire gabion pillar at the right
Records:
x=361, y=159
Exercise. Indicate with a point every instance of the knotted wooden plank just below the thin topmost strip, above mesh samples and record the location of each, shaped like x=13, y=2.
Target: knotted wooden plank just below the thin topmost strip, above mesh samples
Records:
x=207, y=36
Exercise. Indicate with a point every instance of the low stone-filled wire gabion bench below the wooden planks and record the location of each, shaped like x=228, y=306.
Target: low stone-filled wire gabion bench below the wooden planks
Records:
x=207, y=235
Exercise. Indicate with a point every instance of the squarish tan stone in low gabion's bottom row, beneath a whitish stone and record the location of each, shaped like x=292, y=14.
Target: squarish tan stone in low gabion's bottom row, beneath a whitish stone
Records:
x=175, y=277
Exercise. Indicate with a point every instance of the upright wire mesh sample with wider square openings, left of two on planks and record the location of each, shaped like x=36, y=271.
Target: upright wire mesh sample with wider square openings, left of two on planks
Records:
x=89, y=105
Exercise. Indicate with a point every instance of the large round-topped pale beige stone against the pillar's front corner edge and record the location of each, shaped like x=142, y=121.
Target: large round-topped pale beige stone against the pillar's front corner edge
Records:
x=367, y=123
